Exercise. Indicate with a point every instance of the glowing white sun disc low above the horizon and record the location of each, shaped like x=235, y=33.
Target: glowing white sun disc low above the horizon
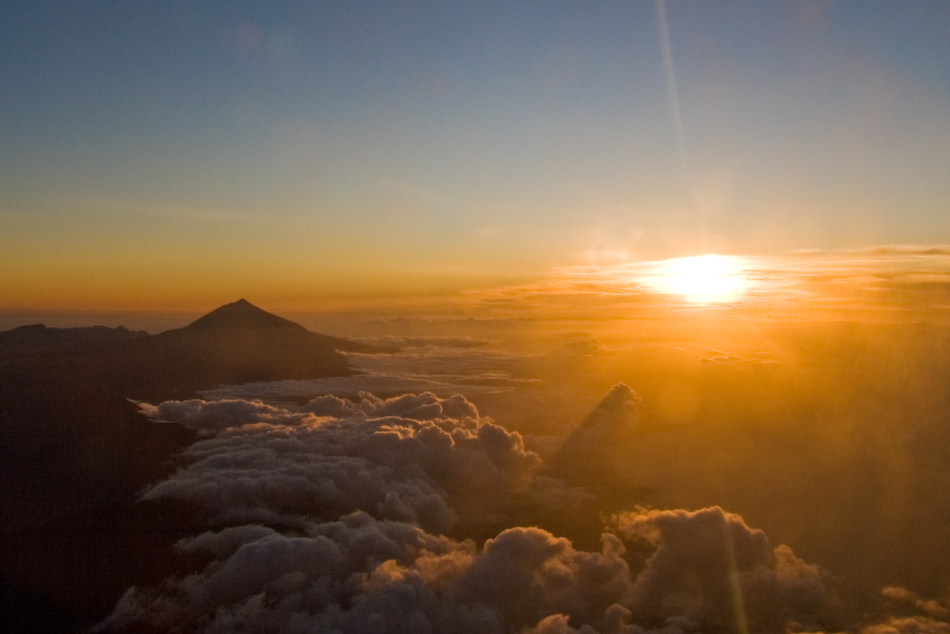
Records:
x=701, y=279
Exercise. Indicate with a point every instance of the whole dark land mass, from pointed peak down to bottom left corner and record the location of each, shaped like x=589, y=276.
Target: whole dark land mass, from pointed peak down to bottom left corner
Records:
x=75, y=453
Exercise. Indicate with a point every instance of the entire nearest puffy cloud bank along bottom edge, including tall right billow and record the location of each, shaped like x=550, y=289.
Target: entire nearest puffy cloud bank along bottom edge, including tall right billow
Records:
x=359, y=574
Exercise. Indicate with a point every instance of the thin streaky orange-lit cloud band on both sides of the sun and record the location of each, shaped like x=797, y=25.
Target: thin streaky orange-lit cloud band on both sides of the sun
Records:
x=907, y=278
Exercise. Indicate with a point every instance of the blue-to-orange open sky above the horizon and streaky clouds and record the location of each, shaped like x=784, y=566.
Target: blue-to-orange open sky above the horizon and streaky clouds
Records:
x=178, y=155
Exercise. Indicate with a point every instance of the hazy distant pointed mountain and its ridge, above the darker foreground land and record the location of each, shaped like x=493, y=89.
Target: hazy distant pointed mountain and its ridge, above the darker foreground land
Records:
x=236, y=343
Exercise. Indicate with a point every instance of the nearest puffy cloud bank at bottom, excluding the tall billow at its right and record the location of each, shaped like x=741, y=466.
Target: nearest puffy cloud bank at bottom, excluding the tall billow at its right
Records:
x=360, y=574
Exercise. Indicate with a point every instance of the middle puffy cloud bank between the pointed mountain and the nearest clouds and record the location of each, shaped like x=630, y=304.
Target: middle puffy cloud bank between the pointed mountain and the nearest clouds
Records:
x=414, y=458
